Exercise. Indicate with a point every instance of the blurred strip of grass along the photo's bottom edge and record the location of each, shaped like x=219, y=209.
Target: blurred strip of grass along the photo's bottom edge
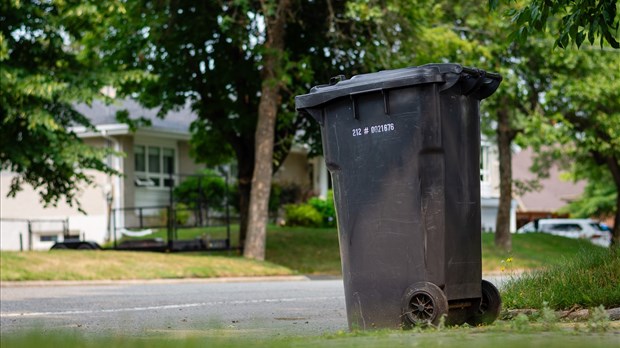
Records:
x=457, y=338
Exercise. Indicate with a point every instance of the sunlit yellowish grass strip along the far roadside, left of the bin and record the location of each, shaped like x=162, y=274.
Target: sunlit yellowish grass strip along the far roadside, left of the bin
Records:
x=123, y=265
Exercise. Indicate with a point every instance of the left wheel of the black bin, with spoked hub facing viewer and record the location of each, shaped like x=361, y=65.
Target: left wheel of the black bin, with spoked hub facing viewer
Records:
x=424, y=303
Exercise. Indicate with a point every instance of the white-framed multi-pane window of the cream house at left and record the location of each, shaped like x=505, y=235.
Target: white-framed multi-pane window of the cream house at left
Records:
x=154, y=166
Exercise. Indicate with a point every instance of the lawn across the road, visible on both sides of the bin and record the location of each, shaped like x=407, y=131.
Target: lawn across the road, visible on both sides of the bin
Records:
x=289, y=251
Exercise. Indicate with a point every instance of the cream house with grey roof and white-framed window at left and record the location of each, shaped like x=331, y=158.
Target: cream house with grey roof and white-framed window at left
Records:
x=152, y=153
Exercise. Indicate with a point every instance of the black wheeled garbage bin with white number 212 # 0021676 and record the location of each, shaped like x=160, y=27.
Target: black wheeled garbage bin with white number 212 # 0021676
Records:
x=403, y=150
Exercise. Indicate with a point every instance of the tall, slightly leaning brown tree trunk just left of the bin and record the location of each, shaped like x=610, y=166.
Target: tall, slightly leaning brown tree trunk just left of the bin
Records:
x=267, y=111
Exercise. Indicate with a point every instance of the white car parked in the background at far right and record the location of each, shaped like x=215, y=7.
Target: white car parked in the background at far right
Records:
x=571, y=228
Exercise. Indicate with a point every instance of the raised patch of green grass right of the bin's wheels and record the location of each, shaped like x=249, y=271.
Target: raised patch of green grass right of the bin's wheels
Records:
x=588, y=279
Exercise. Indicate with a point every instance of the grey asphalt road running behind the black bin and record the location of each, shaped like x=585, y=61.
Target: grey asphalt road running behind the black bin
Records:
x=199, y=307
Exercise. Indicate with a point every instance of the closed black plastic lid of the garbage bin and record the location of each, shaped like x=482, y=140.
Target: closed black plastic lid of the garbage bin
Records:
x=389, y=79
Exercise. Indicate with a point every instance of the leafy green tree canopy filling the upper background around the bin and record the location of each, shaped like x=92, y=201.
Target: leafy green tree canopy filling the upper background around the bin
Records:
x=237, y=62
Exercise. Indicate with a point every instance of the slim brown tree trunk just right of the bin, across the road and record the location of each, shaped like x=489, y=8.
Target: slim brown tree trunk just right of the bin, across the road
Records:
x=503, y=239
